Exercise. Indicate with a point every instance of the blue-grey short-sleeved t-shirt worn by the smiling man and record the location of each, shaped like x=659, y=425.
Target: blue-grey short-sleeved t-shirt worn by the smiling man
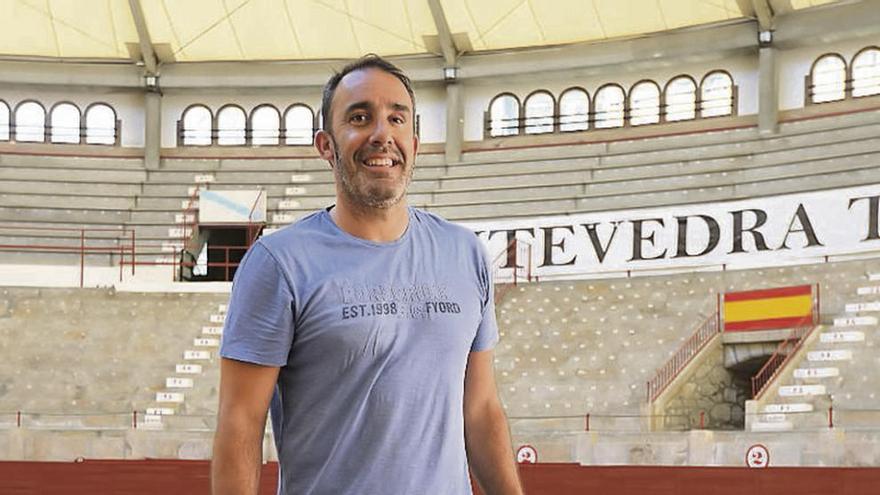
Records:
x=372, y=340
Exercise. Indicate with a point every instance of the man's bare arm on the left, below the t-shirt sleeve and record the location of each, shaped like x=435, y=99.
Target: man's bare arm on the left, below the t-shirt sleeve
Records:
x=245, y=392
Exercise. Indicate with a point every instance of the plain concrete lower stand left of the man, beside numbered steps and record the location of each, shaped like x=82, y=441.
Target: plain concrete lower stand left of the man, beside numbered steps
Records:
x=92, y=351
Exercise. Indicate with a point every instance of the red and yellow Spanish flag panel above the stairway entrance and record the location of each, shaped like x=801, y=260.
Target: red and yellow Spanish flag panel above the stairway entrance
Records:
x=767, y=309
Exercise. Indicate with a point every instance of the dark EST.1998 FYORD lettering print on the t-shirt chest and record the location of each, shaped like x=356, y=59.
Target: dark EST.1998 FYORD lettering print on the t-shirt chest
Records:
x=413, y=301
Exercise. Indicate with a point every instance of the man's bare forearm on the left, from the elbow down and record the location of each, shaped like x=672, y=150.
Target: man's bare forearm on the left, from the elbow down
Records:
x=237, y=461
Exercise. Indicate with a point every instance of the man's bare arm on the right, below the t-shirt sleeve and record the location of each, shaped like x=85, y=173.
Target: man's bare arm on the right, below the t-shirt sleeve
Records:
x=487, y=438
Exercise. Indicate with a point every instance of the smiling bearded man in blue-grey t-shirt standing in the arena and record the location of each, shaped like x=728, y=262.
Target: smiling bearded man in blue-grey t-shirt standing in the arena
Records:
x=373, y=324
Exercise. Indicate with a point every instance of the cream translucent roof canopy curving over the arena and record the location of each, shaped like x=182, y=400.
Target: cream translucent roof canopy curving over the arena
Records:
x=232, y=30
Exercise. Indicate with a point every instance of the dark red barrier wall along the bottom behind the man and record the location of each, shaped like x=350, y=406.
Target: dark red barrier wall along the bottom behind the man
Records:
x=170, y=477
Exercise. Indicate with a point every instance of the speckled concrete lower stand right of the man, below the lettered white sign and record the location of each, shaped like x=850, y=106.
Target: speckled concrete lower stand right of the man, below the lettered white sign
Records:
x=569, y=348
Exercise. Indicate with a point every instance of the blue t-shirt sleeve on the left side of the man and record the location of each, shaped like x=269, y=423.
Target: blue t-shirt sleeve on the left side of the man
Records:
x=260, y=318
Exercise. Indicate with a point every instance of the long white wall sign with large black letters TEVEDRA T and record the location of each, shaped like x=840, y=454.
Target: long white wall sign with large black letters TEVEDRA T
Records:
x=771, y=231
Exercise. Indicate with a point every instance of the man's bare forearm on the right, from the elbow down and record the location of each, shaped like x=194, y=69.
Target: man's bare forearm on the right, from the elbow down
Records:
x=490, y=453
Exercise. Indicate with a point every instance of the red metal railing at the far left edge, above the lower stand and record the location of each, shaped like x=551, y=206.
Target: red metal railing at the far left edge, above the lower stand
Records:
x=125, y=238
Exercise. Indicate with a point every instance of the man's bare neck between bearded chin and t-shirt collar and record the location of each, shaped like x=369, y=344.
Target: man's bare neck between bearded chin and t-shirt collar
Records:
x=372, y=224
